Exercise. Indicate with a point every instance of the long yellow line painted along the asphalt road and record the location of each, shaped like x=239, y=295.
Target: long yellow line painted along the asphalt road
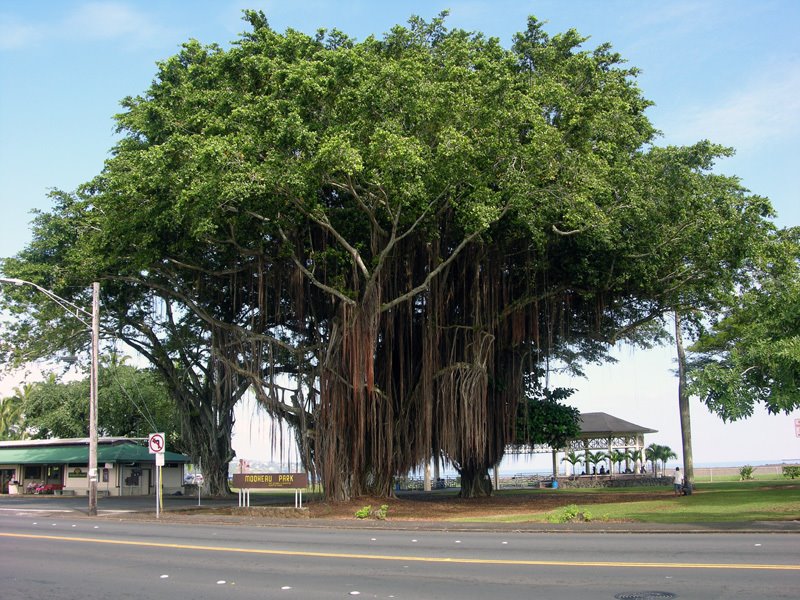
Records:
x=428, y=559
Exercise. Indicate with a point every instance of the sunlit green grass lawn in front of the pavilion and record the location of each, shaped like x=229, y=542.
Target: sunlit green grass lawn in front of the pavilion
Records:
x=759, y=500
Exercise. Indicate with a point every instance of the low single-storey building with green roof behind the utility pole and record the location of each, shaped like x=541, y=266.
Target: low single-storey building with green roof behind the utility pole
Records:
x=60, y=466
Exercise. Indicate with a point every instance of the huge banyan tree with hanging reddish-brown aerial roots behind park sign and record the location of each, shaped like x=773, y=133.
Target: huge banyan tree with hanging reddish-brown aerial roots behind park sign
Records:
x=403, y=228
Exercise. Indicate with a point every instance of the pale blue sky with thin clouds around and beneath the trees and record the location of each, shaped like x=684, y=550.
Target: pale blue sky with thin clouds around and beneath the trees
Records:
x=724, y=70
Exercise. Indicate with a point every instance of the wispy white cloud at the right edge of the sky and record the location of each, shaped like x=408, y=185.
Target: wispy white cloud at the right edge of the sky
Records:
x=766, y=109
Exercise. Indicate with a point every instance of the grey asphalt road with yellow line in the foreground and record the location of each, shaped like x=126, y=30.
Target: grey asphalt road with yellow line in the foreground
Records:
x=66, y=556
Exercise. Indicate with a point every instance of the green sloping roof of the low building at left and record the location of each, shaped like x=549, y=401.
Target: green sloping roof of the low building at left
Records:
x=79, y=454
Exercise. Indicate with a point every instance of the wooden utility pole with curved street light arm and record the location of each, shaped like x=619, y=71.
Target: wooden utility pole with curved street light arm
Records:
x=95, y=329
